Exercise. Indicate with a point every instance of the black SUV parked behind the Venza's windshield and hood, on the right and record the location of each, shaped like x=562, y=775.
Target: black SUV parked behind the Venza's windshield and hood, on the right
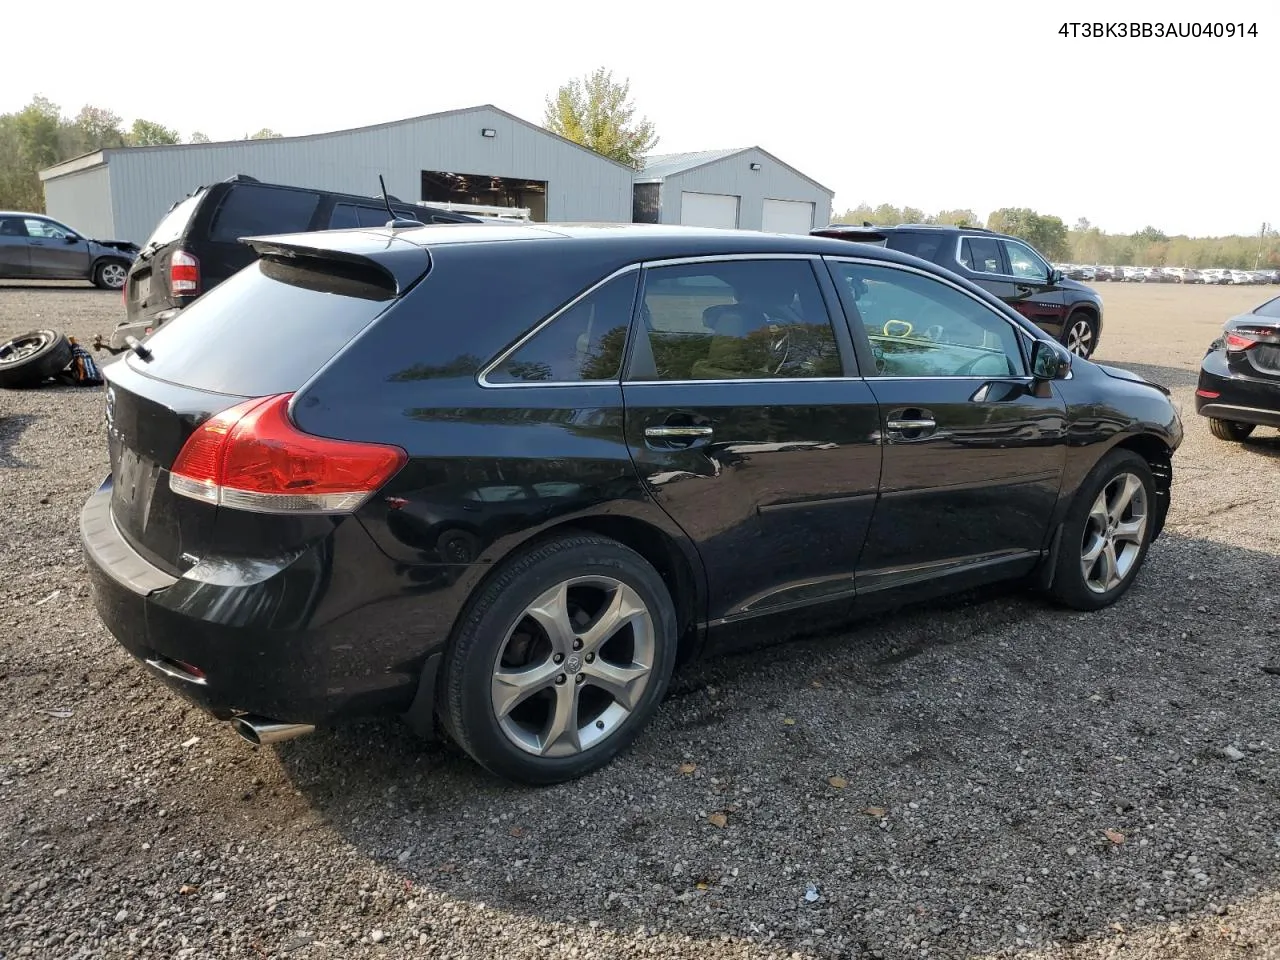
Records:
x=1008, y=267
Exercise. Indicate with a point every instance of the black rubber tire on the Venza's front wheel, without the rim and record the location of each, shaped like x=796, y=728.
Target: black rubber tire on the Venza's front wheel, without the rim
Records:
x=1069, y=586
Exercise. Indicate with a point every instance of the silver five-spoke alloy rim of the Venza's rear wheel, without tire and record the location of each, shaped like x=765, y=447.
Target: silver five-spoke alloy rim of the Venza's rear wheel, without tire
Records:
x=574, y=666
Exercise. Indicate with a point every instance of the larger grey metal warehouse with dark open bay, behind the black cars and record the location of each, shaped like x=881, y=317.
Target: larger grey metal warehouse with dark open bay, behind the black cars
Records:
x=477, y=156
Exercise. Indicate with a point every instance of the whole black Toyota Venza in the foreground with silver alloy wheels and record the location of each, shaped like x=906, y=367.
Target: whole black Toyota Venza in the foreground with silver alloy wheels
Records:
x=509, y=478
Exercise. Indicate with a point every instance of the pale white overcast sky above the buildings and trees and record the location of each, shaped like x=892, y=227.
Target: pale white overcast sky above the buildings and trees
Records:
x=963, y=106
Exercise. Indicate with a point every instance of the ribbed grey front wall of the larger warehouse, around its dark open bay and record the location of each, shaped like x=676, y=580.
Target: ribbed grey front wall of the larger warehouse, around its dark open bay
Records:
x=582, y=186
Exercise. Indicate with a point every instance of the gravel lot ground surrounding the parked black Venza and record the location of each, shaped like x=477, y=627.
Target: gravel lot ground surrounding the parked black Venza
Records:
x=989, y=778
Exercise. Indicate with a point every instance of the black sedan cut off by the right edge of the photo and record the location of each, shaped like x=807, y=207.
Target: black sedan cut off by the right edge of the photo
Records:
x=1240, y=382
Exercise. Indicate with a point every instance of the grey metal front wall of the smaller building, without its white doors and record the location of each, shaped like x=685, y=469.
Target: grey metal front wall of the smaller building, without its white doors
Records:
x=735, y=176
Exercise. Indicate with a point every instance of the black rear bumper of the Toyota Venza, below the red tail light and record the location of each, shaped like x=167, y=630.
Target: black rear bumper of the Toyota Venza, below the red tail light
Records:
x=314, y=638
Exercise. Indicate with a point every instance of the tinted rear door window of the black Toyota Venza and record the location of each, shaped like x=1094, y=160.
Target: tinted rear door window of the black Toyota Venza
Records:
x=735, y=321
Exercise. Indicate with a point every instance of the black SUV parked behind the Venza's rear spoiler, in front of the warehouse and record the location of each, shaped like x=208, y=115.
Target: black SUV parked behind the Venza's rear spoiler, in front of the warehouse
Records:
x=198, y=244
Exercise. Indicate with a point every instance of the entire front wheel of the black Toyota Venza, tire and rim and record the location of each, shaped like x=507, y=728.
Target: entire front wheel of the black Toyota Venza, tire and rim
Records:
x=1107, y=533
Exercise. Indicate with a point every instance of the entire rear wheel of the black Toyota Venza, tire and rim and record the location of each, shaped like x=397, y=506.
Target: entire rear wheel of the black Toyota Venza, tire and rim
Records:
x=560, y=661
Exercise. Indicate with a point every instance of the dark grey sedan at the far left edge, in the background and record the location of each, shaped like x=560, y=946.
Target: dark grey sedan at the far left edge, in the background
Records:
x=38, y=248
